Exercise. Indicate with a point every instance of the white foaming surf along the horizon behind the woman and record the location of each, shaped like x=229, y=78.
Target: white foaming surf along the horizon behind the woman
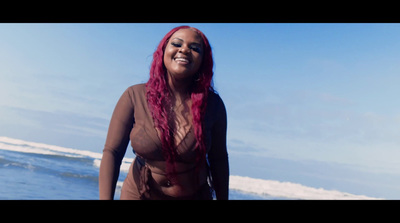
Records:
x=261, y=187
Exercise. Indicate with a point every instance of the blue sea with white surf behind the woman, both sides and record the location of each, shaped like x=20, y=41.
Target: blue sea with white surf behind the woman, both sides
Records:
x=30, y=170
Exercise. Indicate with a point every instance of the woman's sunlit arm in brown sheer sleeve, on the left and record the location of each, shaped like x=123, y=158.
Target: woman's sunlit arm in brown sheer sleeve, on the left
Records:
x=115, y=147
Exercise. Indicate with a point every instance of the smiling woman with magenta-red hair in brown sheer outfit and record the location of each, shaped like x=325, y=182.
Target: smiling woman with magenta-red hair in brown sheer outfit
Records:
x=176, y=124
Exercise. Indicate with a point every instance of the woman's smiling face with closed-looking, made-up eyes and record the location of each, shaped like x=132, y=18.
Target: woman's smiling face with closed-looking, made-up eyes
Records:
x=183, y=54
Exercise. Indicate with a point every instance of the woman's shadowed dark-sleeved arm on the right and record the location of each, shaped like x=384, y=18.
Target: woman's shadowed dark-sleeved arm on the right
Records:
x=218, y=155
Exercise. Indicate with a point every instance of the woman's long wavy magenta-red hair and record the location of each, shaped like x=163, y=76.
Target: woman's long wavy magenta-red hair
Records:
x=159, y=100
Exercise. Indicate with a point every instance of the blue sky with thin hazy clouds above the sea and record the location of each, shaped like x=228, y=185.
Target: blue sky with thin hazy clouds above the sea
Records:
x=309, y=97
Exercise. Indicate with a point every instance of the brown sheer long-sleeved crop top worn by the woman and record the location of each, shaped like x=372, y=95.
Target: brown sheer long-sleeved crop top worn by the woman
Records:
x=132, y=121
